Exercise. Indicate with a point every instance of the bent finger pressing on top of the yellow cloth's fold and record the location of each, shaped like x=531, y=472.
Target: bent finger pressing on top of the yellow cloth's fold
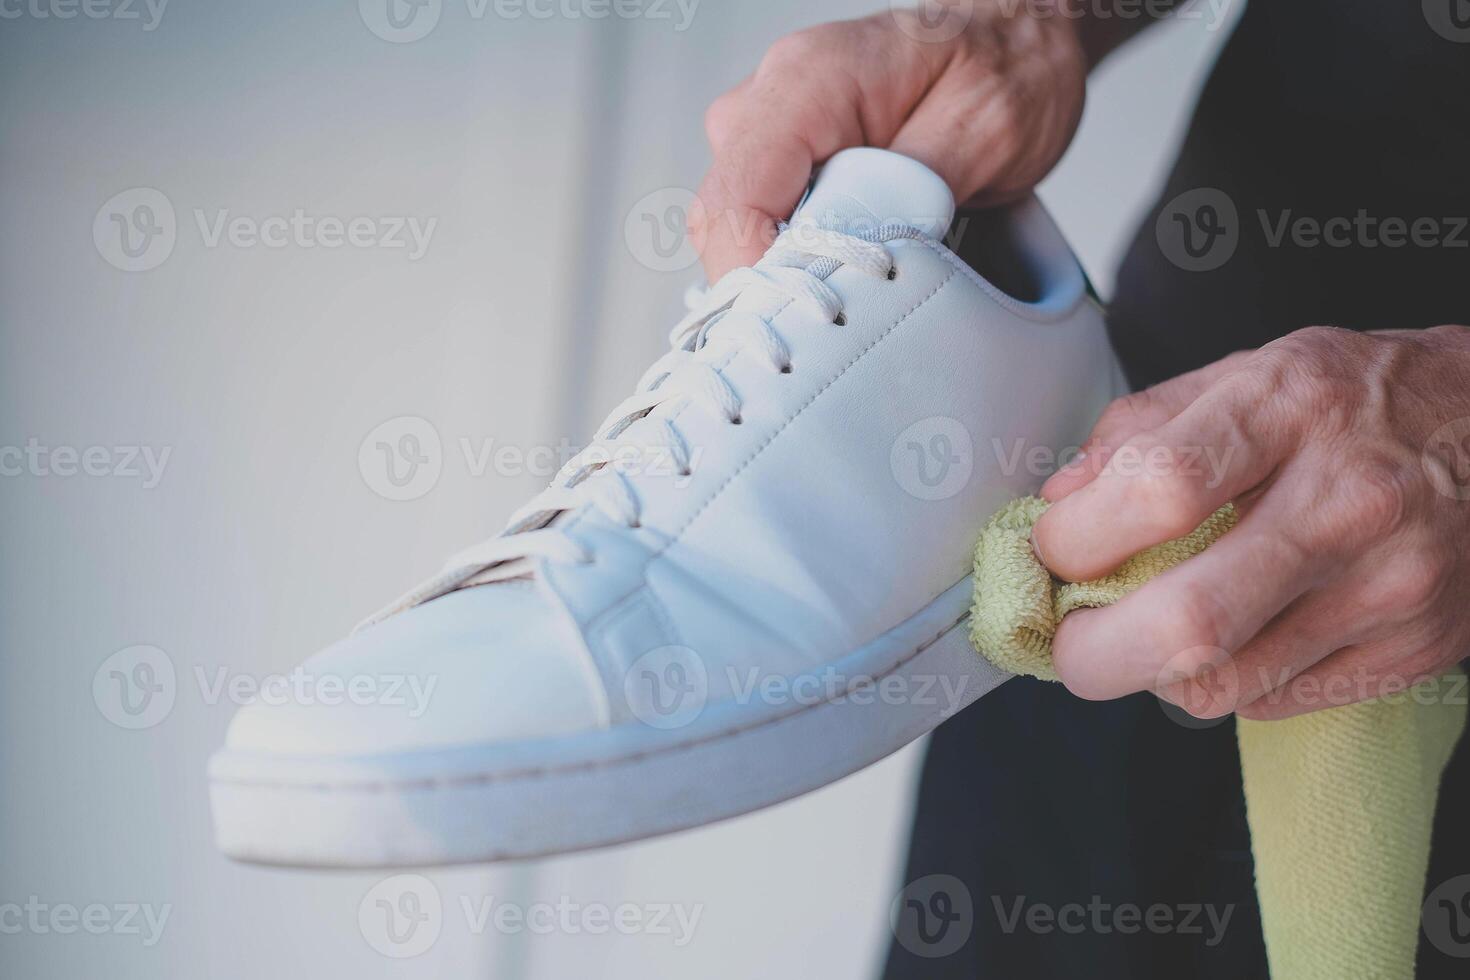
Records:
x=1162, y=484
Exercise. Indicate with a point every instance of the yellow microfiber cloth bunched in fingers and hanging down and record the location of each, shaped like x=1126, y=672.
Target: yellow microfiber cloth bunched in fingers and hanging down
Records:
x=1340, y=801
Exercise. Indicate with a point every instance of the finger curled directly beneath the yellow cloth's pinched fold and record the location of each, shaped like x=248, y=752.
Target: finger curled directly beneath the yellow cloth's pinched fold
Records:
x=1188, y=619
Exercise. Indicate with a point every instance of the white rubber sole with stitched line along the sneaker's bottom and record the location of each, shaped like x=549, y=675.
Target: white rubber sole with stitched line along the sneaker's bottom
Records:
x=526, y=800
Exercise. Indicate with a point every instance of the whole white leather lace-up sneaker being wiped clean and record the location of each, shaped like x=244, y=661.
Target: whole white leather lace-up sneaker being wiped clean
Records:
x=762, y=591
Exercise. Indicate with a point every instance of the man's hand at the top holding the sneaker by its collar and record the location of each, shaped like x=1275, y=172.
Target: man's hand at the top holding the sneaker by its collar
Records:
x=990, y=109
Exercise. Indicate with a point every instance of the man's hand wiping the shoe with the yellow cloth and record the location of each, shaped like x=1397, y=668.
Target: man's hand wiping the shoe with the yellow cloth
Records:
x=1349, y=575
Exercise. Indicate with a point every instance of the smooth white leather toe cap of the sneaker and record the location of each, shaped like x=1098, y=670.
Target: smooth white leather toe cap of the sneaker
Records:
x=483, y=665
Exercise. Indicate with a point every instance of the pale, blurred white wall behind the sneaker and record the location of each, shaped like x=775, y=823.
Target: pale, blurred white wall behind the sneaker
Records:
x=261, y=371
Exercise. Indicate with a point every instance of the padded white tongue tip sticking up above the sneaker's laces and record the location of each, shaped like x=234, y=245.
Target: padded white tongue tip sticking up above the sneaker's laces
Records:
x=864, y=189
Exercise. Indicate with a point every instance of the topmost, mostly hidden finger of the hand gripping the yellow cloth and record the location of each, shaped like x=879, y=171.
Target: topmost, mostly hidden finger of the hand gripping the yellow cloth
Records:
x=1130, y=417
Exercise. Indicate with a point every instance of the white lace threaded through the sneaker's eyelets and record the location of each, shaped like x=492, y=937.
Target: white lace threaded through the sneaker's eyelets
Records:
x=793, y=271
